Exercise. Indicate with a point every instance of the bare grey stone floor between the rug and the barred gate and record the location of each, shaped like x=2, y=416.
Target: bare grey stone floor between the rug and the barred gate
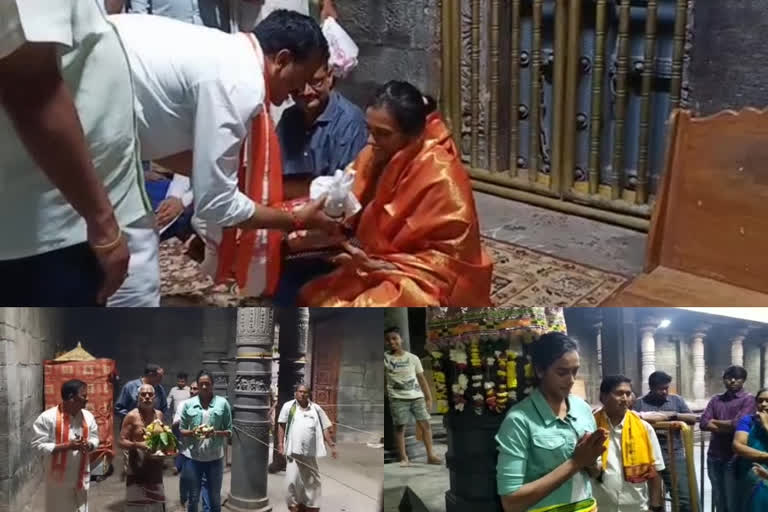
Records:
x=578, y=239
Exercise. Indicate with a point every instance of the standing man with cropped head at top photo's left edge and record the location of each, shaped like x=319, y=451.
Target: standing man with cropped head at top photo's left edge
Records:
x=69, y=173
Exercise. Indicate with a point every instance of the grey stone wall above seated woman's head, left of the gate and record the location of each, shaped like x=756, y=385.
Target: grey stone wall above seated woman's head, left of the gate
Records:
x=398, y=39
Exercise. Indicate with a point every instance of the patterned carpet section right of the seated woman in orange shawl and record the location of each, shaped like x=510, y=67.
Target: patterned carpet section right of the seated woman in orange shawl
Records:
x=524, y=277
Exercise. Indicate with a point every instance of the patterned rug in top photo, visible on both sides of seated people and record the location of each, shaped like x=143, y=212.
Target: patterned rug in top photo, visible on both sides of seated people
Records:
x=522, y=277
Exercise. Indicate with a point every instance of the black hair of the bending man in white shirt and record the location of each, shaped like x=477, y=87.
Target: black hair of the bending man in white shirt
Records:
x=289, y=30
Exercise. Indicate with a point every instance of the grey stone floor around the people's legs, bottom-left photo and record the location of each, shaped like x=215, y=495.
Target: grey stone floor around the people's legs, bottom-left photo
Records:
x=351, y=483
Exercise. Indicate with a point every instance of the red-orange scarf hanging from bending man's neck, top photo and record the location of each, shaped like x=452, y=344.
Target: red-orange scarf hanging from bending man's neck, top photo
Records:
x=262, y=181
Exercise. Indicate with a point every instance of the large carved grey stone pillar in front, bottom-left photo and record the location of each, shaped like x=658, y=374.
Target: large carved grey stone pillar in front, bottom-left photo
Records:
x=250, y=439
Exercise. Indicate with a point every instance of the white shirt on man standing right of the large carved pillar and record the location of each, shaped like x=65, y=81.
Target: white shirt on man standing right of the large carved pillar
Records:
x=305, y=435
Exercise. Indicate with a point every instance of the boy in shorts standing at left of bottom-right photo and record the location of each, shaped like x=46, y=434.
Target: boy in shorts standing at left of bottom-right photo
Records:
x=408, y=394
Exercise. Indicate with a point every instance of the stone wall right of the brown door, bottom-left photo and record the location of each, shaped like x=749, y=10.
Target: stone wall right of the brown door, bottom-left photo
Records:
x=361, y=377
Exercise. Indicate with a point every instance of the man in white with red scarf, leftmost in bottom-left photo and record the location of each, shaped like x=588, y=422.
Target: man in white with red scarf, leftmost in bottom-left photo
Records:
x=65, y=435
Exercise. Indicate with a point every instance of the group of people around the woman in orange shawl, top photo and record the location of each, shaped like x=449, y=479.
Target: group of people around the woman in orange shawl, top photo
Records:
x=85, y=98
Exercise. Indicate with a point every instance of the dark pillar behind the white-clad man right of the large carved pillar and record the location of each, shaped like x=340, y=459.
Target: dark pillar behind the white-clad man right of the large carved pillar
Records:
x=294, y=329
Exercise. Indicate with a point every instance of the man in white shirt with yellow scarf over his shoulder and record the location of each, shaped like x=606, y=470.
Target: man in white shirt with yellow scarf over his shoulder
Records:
x=626, y=483
